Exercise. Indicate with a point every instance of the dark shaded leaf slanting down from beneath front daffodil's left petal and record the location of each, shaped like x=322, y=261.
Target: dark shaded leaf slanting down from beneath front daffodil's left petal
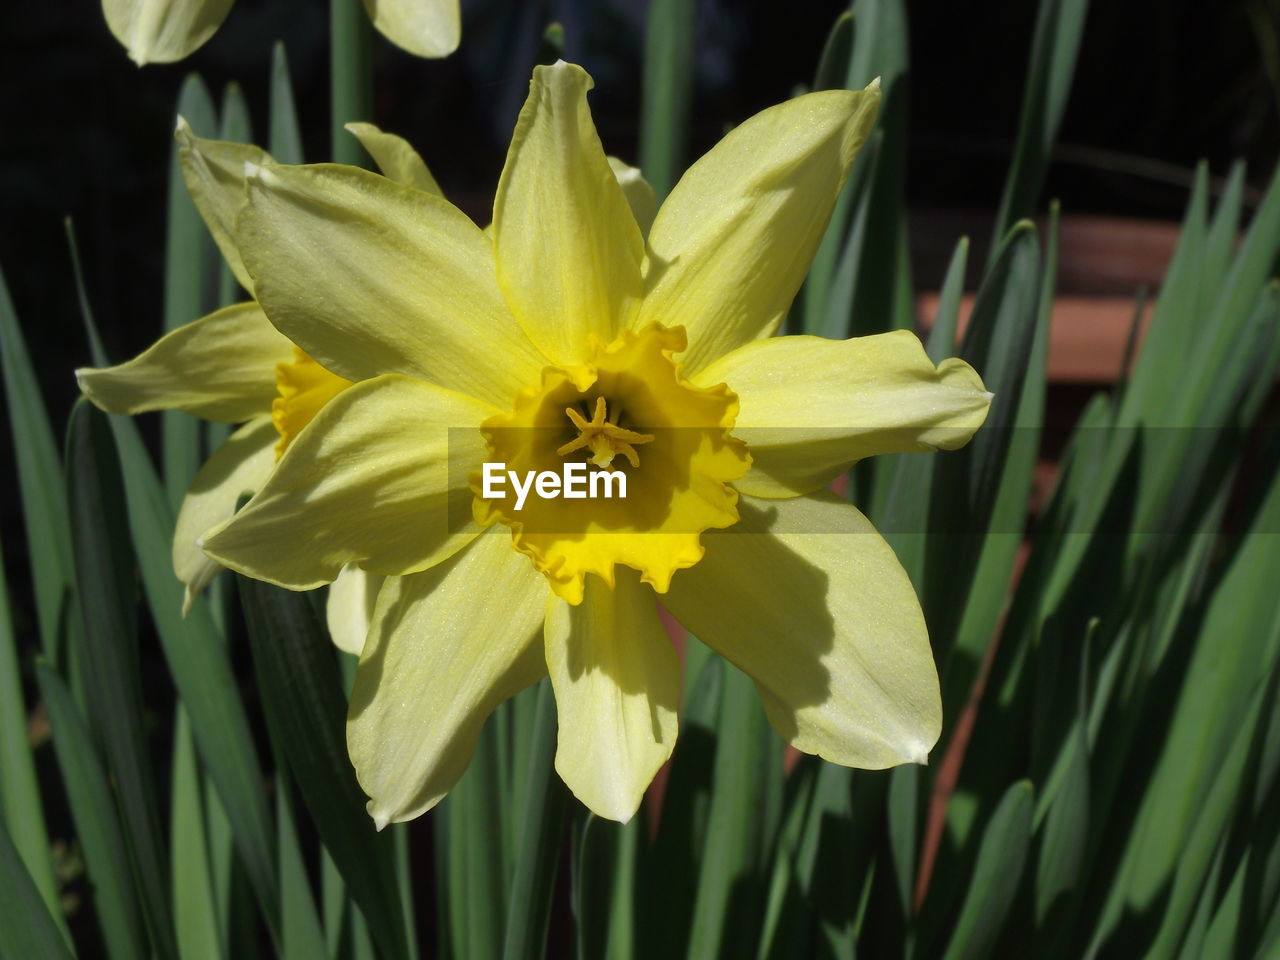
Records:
x=303, y=696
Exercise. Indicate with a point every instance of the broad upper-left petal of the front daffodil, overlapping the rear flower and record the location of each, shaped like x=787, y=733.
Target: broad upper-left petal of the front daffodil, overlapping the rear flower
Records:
x=371, y=277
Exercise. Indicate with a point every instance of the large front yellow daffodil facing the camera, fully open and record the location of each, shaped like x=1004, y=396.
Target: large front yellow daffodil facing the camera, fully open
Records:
x=572, y=337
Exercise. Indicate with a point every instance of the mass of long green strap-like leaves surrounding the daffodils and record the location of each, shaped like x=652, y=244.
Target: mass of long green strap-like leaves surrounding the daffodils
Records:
x=1109, y=778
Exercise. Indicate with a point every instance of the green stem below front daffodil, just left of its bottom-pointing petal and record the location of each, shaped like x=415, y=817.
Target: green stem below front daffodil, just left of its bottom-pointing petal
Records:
x=540, y=845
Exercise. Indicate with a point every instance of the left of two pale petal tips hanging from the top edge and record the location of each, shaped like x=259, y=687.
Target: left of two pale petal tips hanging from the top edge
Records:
x=164, y=31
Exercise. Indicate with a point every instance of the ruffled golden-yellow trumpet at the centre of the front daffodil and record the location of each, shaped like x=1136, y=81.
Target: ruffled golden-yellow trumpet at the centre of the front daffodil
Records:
x=627, y=409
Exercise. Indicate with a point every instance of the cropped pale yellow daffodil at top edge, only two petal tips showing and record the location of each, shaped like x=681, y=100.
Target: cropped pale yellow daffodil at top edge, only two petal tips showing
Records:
x=166, y=31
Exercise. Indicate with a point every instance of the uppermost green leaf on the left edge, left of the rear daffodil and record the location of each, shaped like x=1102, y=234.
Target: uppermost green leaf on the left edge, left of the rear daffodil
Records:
x=39, y=482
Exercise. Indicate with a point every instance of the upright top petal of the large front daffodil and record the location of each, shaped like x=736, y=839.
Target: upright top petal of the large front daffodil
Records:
x=568, y=248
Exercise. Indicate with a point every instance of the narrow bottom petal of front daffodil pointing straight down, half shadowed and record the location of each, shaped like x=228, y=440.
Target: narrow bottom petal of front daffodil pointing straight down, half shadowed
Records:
x=618, y=691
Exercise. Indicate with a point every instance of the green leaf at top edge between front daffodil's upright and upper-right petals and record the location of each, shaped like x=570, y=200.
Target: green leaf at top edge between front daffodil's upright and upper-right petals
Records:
x=666, y=93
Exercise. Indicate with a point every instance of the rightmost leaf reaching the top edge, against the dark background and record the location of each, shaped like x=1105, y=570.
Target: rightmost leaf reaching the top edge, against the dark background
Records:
x=1055, y=47
